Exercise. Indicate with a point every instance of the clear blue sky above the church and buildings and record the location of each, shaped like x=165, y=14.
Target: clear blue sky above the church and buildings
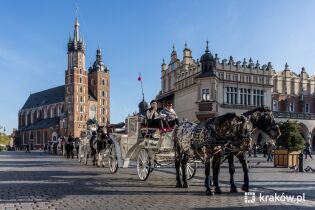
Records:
x=136, y=35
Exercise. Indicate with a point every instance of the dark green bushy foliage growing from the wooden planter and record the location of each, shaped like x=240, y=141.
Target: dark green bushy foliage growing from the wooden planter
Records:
x=291, y=137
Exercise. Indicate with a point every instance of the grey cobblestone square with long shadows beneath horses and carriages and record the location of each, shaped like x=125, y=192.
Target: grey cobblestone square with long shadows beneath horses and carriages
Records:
x=37, y=180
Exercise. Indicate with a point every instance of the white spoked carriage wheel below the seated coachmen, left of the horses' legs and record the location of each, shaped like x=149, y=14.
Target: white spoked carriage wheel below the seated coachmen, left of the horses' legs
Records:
x=143, y=164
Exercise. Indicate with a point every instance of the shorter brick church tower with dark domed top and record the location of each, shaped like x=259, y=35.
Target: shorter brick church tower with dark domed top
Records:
x=99, y=87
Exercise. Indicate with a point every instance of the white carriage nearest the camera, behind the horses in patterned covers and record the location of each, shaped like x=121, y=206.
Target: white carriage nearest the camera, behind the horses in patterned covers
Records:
x=137, y=143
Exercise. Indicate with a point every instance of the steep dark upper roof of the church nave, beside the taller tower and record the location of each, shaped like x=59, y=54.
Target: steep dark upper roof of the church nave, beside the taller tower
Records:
x=45, y=97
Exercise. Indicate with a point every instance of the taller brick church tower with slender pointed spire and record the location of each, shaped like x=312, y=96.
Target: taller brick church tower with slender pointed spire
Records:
x=76, y=85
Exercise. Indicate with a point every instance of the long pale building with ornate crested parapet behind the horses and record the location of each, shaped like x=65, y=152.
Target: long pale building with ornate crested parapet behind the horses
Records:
x=208, y=87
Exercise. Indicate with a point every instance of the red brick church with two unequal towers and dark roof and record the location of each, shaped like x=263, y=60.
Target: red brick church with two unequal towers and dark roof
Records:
x=64, y=110
